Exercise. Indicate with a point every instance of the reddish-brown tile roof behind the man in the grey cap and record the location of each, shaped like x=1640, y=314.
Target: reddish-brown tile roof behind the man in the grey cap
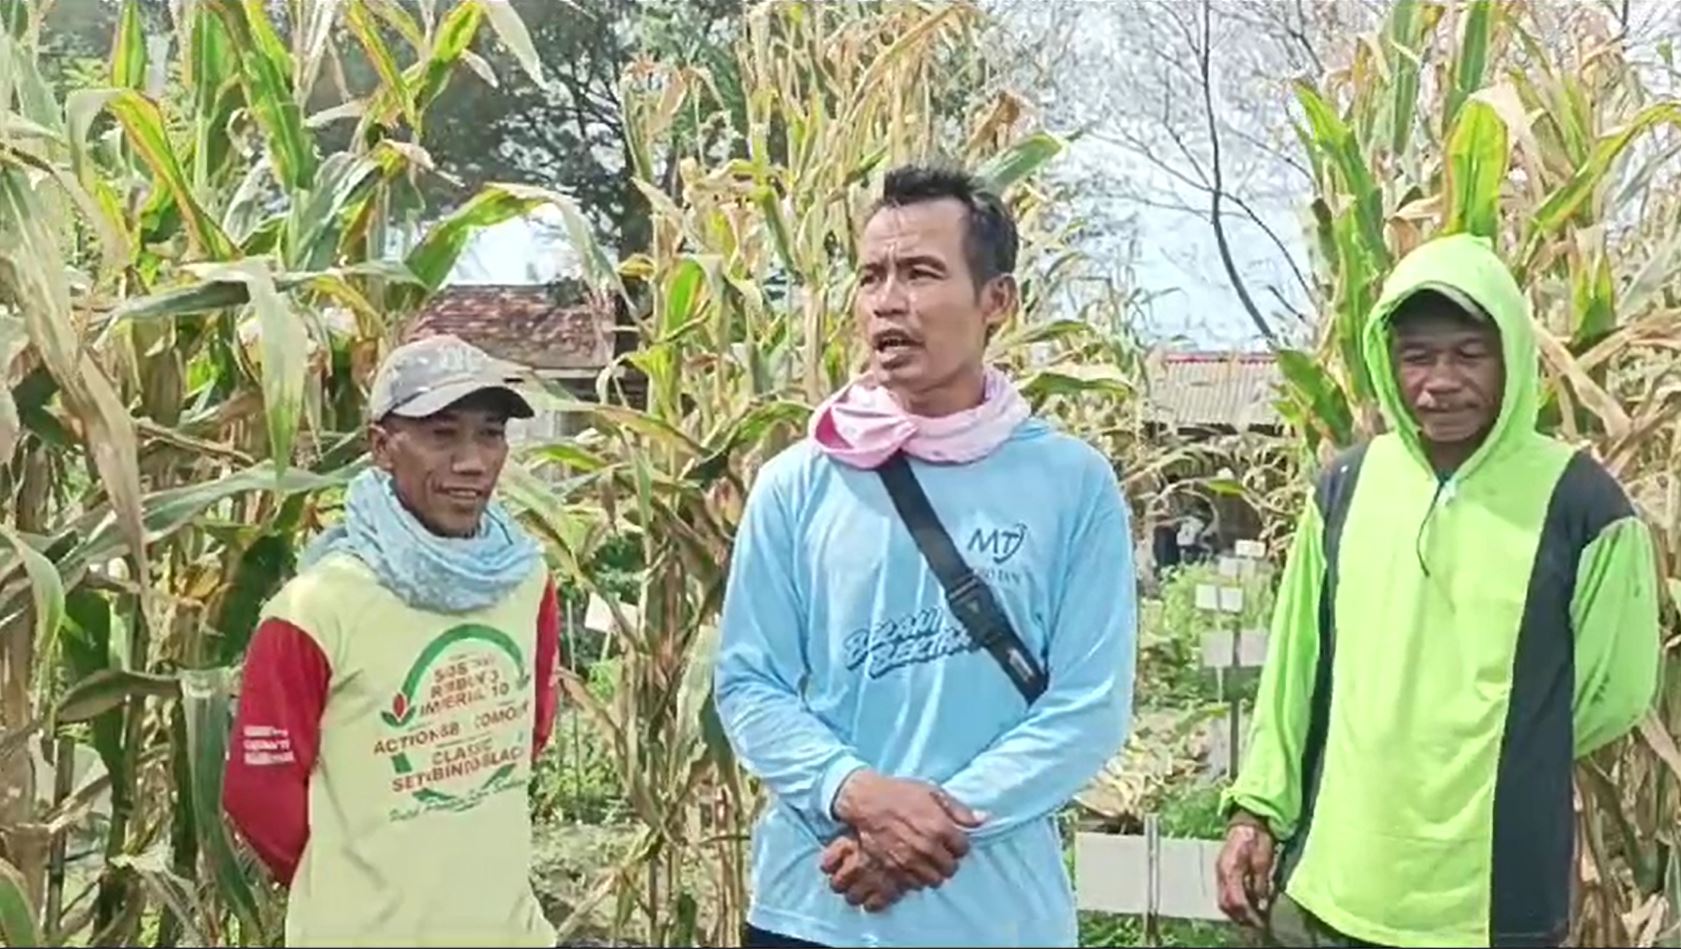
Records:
x=554, y=327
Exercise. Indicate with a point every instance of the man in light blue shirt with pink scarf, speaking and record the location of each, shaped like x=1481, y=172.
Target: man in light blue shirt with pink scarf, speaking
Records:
x=915, y=777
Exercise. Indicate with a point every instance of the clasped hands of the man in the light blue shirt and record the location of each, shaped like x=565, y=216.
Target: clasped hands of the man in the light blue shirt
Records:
x=904, y=836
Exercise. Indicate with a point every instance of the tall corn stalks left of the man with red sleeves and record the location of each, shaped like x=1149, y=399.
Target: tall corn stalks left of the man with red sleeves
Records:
x=192, y=298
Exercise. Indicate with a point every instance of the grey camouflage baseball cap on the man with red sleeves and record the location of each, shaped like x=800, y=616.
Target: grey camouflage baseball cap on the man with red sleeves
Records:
x=429, y=375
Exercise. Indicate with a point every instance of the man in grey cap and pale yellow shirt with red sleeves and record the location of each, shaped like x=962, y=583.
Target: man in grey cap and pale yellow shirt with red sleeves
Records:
x=401, y=686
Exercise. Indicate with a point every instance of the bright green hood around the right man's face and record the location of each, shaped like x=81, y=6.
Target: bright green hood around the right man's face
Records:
x=1463, y=268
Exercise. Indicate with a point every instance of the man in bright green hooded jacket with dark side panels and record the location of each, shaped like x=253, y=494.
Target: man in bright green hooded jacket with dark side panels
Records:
x=1468, y=607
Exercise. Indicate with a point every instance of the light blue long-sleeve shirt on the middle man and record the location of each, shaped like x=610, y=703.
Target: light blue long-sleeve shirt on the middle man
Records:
x=838, y=653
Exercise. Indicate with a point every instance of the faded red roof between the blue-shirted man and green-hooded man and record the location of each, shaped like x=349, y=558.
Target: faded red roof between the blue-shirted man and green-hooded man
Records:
x=1215, y=389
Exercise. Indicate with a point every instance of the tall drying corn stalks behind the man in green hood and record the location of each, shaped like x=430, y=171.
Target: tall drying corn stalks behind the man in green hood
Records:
x=1536, y=127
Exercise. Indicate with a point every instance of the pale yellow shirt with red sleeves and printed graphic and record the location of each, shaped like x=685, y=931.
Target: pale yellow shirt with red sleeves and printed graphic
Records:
x=414, y=782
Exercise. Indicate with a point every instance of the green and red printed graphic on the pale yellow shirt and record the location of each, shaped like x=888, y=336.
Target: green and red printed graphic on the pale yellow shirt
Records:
x=456, y=730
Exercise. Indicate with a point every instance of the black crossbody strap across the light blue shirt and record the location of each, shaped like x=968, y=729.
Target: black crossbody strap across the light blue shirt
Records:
x=971, y=599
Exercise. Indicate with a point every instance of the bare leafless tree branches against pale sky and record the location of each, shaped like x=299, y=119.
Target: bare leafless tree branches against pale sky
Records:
x=1193, y=98
